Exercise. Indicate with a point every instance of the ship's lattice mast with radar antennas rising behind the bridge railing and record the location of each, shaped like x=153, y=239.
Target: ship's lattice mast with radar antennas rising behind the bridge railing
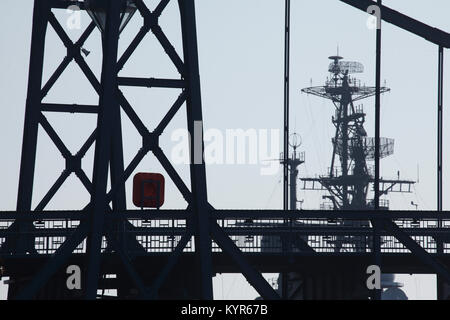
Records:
x=349, y=183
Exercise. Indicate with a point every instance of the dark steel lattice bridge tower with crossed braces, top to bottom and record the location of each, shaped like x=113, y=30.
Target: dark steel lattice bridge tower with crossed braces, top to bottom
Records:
x=108, y=159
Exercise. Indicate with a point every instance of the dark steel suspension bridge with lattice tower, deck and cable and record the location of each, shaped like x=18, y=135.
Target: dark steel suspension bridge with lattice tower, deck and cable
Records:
x=147, y=257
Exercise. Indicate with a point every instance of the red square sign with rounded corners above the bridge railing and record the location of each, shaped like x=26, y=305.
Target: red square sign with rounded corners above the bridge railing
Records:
x=148, y=190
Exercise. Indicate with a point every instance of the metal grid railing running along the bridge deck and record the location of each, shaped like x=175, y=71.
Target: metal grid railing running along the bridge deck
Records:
x=328, y=234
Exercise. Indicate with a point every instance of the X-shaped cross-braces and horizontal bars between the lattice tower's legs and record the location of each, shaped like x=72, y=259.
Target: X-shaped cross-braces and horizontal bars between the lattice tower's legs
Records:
x=149, y=138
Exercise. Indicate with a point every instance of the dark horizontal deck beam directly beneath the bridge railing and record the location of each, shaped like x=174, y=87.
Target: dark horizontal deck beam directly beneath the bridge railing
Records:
x=263, y=262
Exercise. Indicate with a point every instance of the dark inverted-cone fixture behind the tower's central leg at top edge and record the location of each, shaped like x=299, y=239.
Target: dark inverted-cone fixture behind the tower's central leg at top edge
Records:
x=97, y=10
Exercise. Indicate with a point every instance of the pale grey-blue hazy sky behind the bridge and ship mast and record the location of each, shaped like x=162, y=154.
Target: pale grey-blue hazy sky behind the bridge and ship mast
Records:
x=241, y=67
